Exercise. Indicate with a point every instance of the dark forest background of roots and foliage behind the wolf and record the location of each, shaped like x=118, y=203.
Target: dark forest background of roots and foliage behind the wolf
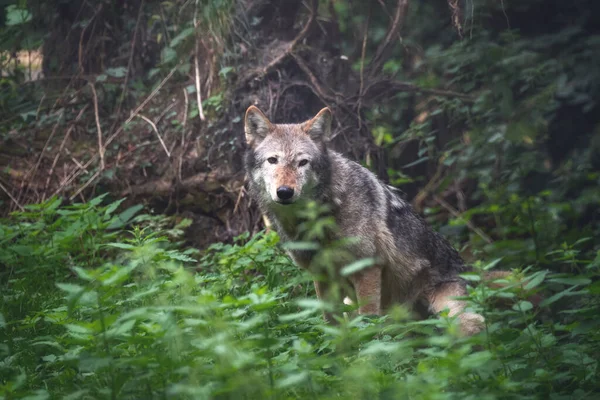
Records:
x=465, y=107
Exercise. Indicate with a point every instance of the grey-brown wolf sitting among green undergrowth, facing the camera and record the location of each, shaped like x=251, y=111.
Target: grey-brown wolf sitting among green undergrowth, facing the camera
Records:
x=289, y=165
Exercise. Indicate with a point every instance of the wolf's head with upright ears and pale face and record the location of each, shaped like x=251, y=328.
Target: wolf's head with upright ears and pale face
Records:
x=286, y=162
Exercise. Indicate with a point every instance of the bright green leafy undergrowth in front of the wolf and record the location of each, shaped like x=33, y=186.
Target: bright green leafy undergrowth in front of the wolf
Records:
x=92, y=308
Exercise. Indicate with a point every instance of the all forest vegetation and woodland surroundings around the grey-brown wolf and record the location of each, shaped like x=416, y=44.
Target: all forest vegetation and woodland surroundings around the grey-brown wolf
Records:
x=484, y=112
